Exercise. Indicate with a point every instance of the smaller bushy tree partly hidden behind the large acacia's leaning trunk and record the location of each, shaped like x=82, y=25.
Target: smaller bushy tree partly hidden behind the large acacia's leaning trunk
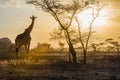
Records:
x=59, y=35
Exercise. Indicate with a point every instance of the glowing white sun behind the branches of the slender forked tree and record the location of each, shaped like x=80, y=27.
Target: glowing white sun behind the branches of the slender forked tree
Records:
x=86, y=17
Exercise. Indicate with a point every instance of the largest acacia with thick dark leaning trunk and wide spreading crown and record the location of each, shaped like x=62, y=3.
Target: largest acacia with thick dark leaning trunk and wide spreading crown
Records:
x=63, y=13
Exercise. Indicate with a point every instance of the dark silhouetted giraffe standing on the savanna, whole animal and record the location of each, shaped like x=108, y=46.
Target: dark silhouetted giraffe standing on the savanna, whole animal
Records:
x=24, y=38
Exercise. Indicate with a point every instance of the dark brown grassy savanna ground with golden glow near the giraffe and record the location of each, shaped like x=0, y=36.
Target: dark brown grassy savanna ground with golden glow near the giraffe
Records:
x=55, y=66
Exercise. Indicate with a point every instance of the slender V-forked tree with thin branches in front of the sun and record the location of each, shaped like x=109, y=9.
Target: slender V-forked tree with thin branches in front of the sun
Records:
x=95, y=9
